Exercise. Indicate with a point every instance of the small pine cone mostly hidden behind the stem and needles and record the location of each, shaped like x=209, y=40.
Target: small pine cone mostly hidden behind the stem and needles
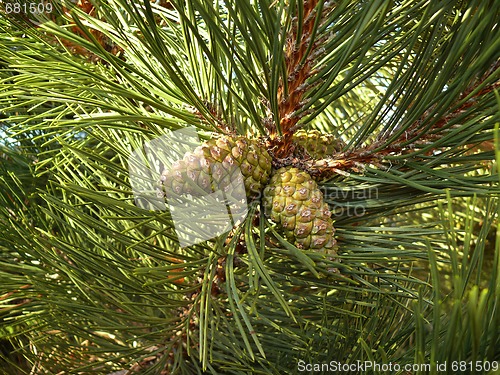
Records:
x=317, y=144
